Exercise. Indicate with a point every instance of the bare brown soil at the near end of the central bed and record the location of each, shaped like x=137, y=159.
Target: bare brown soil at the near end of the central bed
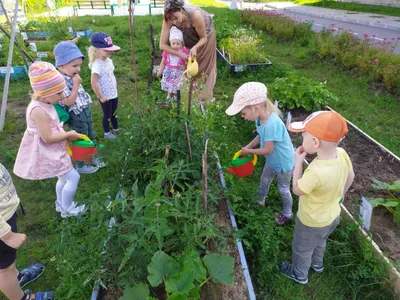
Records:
x=237, y=290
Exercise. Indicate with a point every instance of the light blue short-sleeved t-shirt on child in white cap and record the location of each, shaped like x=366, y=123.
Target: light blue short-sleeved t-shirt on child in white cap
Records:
x=273, y=130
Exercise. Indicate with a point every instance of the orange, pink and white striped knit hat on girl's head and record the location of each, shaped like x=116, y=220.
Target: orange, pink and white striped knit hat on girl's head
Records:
x=45, y=79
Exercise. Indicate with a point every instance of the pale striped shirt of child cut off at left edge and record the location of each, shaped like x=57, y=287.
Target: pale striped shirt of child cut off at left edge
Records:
x=8, y=200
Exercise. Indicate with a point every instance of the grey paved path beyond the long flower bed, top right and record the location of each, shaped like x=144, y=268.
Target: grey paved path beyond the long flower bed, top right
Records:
x=379, y=29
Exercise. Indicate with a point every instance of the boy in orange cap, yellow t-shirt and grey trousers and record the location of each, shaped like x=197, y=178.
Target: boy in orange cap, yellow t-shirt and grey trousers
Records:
x=320, y=188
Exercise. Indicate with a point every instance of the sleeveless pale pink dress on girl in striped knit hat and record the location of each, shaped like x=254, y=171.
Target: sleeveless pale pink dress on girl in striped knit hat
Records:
x=36, y=159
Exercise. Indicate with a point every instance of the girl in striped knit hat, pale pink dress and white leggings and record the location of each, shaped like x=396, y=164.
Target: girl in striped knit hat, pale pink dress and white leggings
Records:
x=43, y=150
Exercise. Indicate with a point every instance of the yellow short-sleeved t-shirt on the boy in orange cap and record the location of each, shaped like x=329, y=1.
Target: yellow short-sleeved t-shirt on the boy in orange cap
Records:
x=323, y=183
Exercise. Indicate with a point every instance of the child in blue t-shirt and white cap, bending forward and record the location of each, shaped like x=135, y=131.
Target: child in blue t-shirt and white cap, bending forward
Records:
x=275, y=144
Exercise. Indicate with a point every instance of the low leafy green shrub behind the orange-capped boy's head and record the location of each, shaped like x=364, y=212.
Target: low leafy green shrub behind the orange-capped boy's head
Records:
x=293, y=91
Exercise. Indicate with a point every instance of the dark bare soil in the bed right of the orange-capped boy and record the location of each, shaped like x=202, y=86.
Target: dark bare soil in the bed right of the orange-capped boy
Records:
x=370, y=162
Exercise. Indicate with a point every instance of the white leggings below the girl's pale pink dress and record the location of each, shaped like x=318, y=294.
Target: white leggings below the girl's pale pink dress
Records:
x=66, y=187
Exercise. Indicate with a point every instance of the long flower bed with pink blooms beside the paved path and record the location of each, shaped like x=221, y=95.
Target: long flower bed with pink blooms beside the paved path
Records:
x=352, y=53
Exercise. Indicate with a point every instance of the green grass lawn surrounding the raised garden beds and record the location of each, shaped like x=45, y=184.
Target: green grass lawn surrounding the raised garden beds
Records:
x=72, y=249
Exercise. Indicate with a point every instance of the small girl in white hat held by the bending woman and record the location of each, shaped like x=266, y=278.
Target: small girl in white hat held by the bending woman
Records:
x=172, y=67
